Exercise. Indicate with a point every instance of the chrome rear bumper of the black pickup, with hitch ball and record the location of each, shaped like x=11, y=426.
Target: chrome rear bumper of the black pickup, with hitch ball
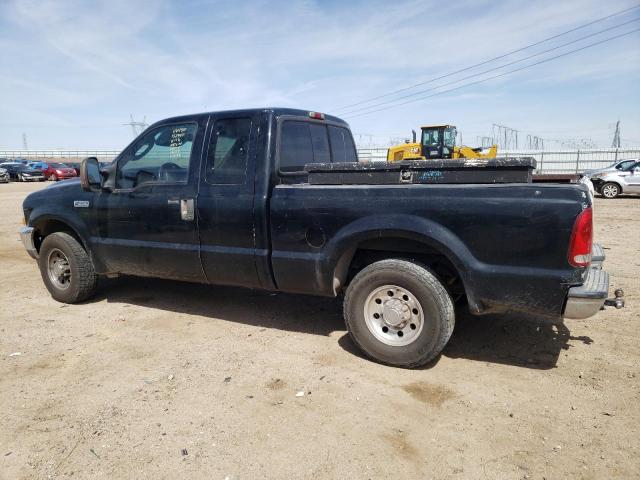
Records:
x=586, y=300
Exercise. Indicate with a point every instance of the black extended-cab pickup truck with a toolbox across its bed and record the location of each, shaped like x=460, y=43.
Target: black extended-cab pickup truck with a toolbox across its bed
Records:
x=273, y=199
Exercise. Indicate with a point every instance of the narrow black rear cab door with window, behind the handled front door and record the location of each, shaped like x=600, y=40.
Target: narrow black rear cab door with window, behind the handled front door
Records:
x=226, y=201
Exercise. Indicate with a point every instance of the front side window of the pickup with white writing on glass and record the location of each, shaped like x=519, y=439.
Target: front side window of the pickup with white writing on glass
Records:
x=162, y=155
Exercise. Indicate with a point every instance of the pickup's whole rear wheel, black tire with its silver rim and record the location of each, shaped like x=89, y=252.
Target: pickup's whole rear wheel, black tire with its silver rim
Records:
x=399, y=283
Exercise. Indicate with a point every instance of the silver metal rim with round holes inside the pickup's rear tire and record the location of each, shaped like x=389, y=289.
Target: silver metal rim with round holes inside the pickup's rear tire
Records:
x=393, y=315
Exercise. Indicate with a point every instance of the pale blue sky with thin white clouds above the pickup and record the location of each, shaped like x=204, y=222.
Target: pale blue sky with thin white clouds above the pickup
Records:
x=74, y=71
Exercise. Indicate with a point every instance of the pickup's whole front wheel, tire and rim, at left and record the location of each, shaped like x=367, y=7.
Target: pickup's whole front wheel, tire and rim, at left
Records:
x=60, y=256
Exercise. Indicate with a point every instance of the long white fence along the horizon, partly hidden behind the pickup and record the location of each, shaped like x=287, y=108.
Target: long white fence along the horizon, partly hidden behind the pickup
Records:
x=549, y=162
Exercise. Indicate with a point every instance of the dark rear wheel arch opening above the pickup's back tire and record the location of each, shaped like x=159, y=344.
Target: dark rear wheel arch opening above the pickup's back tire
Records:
x=374, y=250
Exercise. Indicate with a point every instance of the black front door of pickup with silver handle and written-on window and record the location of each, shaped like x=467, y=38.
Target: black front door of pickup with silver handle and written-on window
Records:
x=149, y=226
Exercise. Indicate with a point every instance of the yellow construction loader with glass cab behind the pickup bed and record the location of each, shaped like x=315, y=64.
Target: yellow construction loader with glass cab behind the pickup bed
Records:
x=437, y=142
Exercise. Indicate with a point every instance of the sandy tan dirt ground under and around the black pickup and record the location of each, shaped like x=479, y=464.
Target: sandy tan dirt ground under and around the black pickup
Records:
x=158, y=379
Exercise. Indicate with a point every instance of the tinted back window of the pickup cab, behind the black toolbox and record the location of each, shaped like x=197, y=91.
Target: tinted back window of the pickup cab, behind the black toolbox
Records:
x=307, y=142
